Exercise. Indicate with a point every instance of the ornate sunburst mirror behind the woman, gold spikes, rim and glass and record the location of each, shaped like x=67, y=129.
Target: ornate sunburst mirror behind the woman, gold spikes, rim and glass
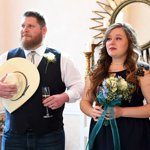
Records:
x=125, y=11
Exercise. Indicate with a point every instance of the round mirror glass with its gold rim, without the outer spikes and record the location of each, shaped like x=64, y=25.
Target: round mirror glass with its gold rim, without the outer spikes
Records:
x=127, y=11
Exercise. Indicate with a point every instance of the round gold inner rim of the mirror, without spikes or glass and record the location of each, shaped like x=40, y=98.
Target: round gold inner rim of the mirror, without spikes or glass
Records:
x=120, y=7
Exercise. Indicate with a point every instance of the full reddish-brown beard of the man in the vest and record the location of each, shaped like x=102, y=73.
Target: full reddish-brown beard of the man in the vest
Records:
x=33, y=43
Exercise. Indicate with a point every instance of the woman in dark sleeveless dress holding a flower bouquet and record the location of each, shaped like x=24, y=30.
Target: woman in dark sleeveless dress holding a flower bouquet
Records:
x=131, y=124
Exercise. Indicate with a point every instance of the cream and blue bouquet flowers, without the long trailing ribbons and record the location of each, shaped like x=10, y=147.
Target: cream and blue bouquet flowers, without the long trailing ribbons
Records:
x=112, y=91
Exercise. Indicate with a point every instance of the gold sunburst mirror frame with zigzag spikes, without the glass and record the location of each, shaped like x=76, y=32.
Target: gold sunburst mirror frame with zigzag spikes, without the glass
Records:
x=110, y=11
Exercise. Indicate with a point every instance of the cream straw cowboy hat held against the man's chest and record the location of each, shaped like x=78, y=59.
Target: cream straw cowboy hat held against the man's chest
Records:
x=25, y=76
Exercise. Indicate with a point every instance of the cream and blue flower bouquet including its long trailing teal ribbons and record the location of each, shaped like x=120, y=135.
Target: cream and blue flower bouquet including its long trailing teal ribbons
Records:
x=112, y=91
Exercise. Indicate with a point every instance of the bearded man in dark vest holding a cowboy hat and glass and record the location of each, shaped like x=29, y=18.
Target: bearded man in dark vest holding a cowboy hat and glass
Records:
x=26, y=128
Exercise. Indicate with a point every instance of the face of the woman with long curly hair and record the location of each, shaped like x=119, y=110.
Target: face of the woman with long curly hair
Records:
x=117, y=43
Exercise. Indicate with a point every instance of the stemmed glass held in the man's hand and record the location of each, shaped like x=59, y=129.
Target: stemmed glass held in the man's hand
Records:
x=45, y=94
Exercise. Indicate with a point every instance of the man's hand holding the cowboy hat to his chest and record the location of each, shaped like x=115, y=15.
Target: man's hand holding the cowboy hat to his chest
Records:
x=7, y=90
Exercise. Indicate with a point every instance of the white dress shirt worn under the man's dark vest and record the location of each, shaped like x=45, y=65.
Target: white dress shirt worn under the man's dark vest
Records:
x=69, y=73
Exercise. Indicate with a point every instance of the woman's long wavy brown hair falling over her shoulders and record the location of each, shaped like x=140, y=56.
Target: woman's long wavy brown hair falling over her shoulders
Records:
x=100, y=71
